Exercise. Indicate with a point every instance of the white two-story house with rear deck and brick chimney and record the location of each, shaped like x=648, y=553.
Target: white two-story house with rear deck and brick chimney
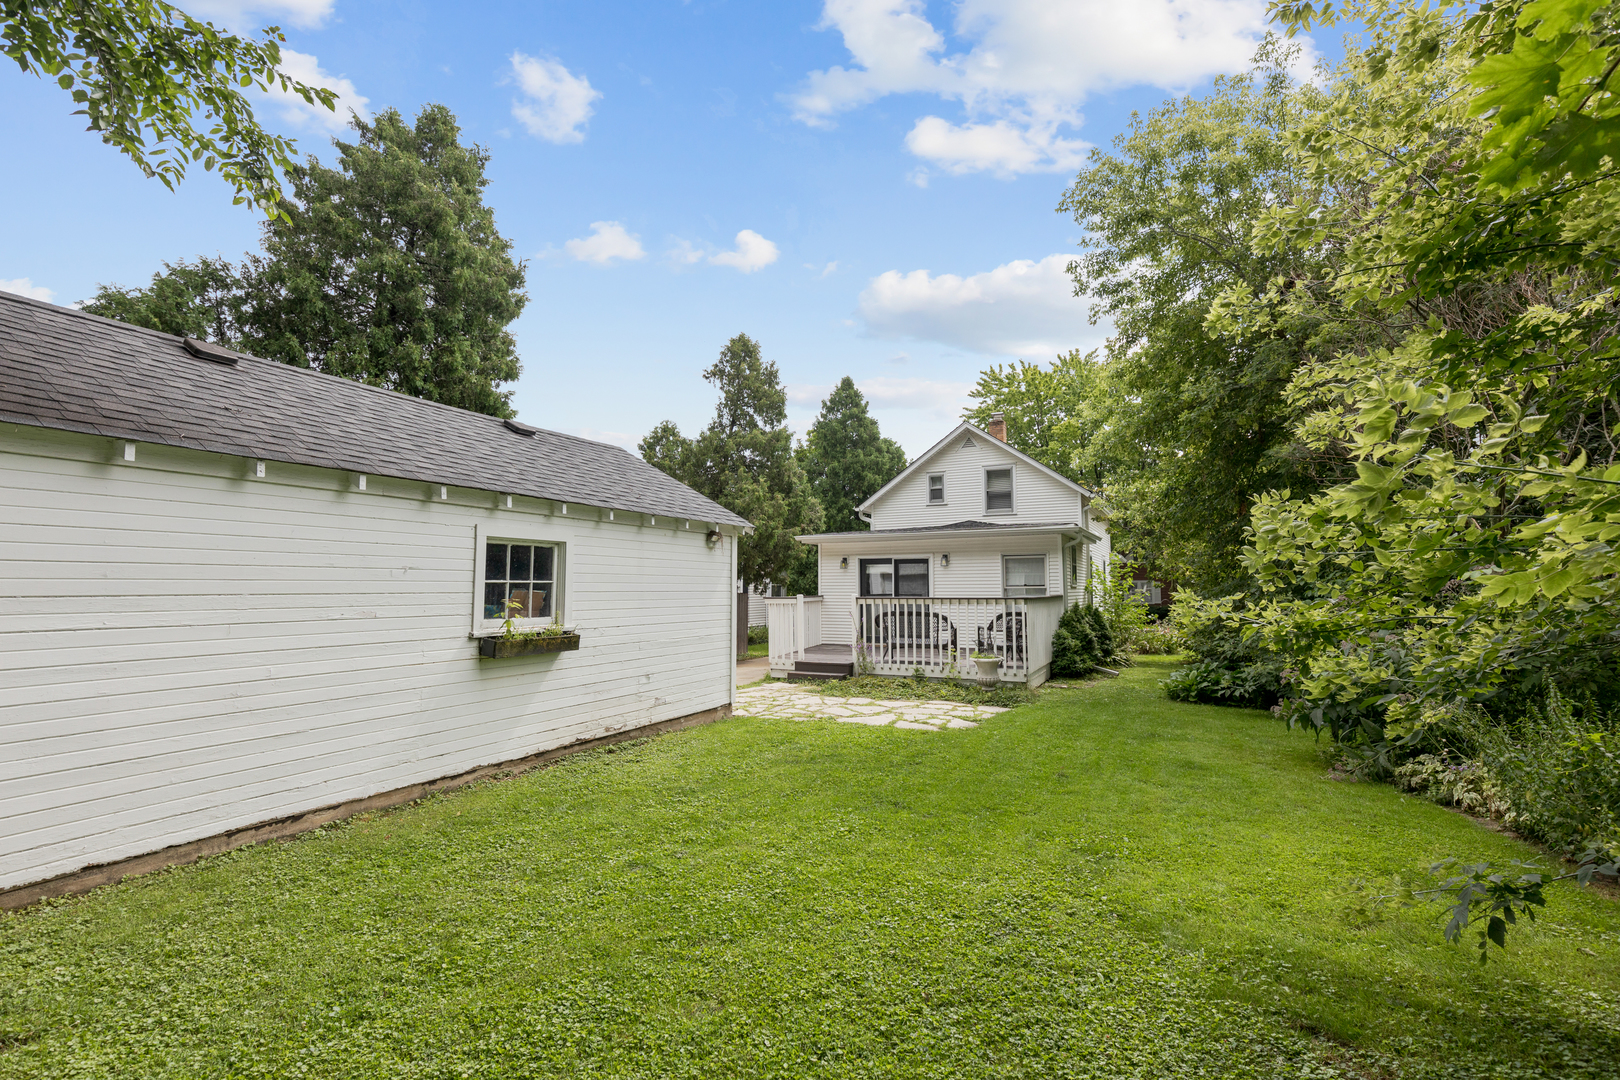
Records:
x=974, y=548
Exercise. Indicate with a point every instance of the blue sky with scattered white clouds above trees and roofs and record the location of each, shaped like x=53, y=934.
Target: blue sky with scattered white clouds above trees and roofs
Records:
x=866, y=187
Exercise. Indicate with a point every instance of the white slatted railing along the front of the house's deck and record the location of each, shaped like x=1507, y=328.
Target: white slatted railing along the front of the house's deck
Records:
x=940, y=634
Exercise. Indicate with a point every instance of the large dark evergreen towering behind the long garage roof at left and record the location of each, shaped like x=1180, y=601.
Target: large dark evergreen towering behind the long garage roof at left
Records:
x=386, y=270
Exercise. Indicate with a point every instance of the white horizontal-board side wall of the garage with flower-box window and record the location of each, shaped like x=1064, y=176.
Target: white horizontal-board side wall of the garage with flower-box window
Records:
x=187, y=650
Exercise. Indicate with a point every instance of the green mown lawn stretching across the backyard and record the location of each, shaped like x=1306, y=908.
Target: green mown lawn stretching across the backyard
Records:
x=1098, y=885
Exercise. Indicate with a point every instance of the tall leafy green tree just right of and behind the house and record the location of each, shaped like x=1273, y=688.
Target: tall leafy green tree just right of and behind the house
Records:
x=1195, y=419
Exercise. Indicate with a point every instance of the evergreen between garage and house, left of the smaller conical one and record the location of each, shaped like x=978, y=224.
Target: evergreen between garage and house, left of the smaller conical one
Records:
x=744, y=461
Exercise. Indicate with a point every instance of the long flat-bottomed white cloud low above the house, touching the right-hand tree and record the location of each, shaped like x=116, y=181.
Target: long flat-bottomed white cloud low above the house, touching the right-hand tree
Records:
x=1020, y=308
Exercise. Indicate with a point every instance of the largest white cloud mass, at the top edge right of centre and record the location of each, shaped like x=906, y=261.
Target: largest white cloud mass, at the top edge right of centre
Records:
x=1030, y=67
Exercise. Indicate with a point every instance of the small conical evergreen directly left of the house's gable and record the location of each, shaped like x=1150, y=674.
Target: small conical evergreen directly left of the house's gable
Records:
x=846, y=457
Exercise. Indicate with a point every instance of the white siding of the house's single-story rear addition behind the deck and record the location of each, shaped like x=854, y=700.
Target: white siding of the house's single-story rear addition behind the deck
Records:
x=974, y=571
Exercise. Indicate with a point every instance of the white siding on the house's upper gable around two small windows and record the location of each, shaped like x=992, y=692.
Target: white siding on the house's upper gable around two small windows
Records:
x=1038, y=498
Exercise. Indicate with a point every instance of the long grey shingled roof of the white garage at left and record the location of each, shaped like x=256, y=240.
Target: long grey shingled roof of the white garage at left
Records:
x=72, y=372
